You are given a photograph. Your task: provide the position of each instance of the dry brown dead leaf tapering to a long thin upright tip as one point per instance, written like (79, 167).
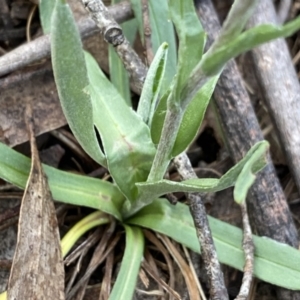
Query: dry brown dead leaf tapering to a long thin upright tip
(37, 270)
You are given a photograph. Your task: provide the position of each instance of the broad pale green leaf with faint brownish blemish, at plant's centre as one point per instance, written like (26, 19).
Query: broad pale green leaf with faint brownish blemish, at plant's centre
(126, 138)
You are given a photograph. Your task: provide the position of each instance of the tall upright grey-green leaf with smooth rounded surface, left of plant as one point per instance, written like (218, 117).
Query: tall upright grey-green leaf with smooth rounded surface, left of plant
(71, 79)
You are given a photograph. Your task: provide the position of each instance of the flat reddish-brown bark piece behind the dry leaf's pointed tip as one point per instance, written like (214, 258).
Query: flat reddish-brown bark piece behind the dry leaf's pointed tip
(36, 86)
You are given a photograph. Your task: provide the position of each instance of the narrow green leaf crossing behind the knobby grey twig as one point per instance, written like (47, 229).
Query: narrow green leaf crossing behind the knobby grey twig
(118, 74)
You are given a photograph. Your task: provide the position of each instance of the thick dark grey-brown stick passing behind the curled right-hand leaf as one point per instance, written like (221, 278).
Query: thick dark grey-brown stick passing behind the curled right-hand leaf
(268, 209)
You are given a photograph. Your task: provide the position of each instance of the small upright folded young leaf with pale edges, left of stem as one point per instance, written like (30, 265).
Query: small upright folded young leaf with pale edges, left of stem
(152, 85)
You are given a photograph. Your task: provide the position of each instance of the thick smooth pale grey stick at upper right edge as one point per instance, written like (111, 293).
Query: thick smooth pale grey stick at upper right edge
(277, 78)
